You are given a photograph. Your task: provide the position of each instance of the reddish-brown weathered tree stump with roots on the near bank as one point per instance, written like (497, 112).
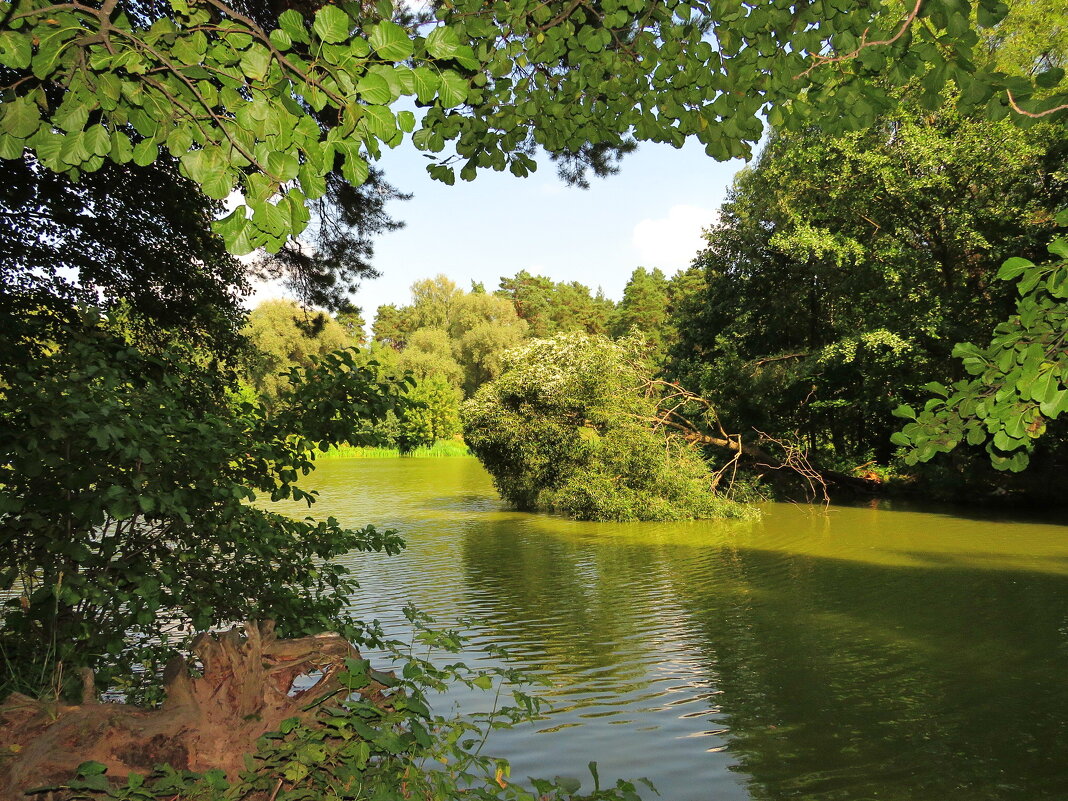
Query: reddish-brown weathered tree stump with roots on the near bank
(210, 721)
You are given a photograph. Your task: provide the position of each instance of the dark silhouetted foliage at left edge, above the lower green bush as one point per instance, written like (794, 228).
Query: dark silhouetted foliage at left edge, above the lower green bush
(134, 237)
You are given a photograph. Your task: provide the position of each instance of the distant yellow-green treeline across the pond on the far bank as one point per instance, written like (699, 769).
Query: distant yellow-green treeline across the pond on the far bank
(452, 341)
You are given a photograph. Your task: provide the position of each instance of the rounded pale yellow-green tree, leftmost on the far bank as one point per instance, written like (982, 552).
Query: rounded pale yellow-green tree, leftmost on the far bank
(285, 336)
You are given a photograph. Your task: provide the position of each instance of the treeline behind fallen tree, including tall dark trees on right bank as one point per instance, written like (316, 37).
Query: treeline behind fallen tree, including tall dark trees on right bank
(834, 288)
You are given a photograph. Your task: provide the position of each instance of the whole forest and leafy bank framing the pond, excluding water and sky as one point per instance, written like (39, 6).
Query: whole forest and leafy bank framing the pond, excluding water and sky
(878, 311)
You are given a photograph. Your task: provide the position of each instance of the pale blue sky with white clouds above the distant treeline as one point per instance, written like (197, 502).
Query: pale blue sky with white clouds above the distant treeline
(650, 215)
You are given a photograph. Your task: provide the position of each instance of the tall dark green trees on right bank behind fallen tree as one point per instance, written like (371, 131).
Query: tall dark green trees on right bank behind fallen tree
(843, 269)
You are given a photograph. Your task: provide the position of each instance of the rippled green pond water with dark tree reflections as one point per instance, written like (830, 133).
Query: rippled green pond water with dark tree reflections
(845, 654)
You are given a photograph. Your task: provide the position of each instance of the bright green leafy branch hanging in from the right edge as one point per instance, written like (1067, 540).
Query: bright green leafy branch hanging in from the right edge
(1018, 384)
